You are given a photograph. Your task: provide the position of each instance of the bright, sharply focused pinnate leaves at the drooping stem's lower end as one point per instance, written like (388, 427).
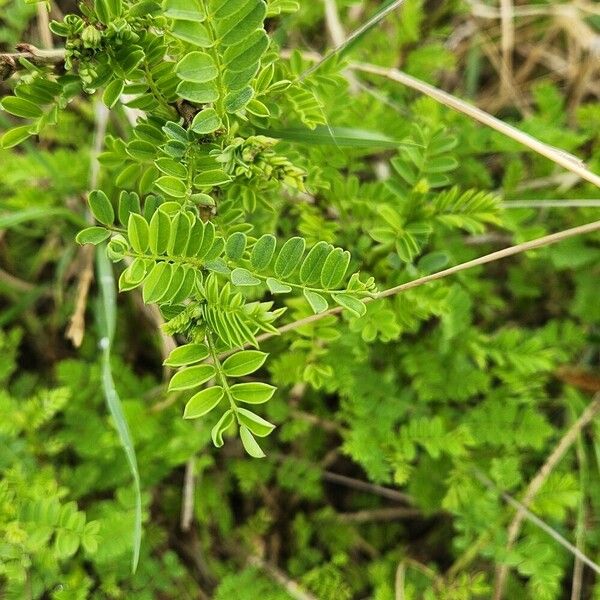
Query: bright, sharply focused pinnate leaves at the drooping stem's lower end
(199, 278)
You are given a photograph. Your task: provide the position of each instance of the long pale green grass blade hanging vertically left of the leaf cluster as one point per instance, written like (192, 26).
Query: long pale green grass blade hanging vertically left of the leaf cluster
(107, 318)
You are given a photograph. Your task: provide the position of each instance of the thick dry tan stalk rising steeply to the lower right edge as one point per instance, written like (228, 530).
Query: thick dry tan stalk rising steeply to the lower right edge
(536, 484)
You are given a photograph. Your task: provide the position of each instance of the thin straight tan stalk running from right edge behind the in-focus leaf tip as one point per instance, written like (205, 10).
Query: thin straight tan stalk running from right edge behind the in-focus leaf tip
(546, 240)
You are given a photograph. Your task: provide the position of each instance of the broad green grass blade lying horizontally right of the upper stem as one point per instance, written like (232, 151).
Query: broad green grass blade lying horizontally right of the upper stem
(335, 136)
